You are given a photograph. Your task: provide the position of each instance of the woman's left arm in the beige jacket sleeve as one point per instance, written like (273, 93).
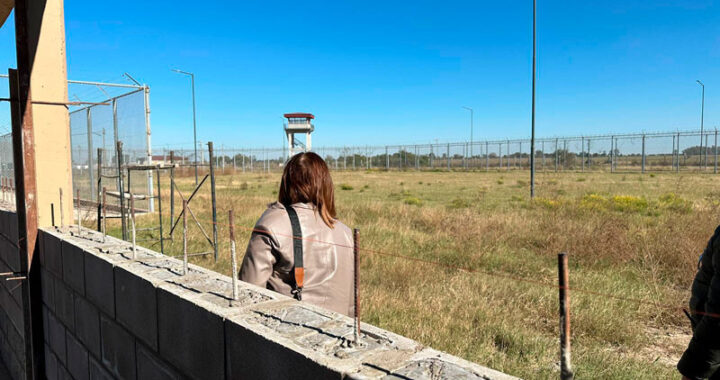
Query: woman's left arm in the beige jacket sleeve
(257, 266)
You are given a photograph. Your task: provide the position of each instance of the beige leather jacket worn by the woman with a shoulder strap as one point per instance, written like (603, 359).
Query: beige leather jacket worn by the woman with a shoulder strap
(329, 273)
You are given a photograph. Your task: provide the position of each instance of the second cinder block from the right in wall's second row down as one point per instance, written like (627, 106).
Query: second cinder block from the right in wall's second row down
(118, 349)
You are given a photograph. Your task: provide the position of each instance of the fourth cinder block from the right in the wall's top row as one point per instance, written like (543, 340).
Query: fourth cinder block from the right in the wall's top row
(100, 284)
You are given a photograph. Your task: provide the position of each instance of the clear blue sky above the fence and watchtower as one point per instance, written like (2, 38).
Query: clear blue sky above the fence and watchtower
(399, 72)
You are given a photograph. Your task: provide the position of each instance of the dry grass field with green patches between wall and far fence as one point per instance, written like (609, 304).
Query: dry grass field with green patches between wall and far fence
(631, 235)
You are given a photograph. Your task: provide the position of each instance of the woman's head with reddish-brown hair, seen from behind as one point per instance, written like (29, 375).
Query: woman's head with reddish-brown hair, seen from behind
(306, 179)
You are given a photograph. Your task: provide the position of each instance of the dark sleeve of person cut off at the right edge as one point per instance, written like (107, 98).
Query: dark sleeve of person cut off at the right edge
(702, 357)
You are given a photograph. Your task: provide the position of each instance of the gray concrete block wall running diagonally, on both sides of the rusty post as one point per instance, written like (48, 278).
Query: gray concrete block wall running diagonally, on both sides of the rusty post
(107, 316)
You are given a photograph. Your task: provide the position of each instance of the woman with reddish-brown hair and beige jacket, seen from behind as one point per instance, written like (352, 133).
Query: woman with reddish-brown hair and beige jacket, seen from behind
(298, 248)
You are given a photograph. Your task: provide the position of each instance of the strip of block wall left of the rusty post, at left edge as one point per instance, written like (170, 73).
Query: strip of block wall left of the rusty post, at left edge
(12, 327)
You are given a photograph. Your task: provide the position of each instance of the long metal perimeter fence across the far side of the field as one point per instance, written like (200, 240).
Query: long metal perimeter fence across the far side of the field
(641, 152)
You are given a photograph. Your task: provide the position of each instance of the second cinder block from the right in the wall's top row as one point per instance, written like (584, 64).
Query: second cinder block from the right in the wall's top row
(191, 337)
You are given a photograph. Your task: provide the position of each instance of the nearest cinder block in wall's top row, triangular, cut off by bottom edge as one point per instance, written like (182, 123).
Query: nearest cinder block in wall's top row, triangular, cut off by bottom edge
(250, 352)
